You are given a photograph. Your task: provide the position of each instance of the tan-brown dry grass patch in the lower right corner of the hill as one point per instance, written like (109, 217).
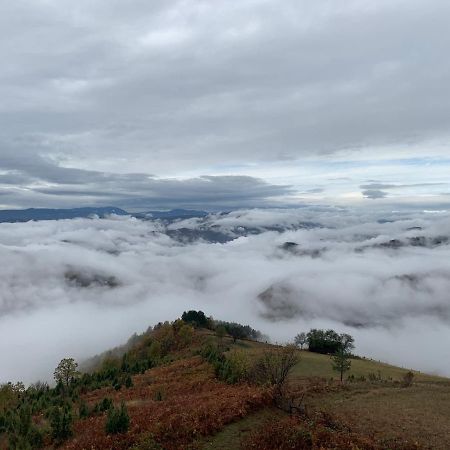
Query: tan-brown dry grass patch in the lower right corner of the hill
(420, 413)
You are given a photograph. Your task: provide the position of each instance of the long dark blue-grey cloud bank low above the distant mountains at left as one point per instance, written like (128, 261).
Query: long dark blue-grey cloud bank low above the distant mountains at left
(39, 182)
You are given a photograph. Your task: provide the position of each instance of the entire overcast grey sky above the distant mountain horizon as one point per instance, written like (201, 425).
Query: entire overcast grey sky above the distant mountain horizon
(221, 104)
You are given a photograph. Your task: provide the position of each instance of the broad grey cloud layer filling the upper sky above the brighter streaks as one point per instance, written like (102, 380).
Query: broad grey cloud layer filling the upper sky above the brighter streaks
(171, 86)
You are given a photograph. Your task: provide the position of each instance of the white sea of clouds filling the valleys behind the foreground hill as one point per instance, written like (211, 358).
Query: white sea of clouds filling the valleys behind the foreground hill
(77, 287)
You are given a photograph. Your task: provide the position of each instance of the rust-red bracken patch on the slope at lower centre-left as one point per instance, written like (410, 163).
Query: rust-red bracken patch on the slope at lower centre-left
(194, 404)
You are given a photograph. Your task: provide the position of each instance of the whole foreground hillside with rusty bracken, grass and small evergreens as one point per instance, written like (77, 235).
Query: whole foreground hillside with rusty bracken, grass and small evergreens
(201, 386)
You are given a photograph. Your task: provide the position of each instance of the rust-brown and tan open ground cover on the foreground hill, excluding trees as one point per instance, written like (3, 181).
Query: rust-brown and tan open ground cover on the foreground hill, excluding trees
(181, 405)
